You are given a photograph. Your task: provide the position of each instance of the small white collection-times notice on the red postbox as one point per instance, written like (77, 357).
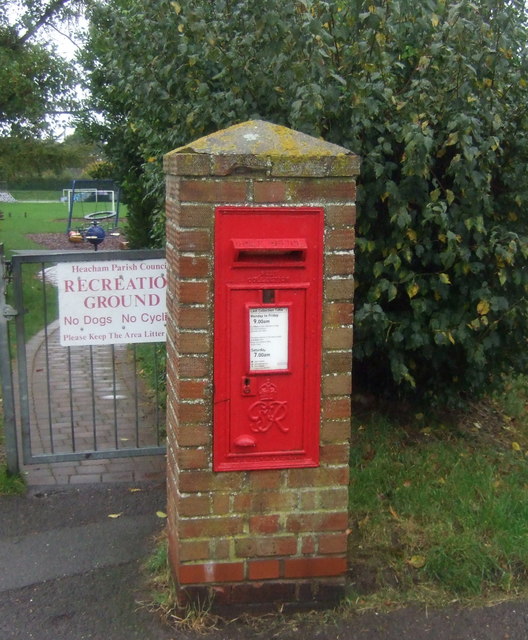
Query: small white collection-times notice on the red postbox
(268, 338)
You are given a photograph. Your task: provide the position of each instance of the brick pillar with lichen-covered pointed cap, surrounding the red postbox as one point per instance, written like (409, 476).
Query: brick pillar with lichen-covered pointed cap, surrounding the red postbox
(275, 537)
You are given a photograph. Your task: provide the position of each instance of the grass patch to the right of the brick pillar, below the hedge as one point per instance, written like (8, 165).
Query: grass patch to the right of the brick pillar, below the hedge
(439, 510)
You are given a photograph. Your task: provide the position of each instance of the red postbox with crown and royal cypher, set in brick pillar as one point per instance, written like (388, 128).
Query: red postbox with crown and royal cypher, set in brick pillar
(267, 337)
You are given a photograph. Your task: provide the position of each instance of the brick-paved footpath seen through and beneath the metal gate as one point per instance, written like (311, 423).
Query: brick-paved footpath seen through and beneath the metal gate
(83, 417)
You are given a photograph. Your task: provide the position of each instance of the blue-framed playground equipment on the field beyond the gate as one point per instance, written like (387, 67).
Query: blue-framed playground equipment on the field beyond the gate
(93, 210)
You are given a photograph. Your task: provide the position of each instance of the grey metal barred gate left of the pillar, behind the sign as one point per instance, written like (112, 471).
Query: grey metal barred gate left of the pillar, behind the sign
(71, 403)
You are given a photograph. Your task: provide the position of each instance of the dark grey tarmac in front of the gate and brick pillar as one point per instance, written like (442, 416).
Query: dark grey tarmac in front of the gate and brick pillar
(69, 572)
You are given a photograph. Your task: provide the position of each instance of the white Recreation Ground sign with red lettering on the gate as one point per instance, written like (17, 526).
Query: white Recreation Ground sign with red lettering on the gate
(112, 302)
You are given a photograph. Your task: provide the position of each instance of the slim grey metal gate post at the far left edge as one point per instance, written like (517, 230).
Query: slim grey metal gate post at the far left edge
(6, 374)
